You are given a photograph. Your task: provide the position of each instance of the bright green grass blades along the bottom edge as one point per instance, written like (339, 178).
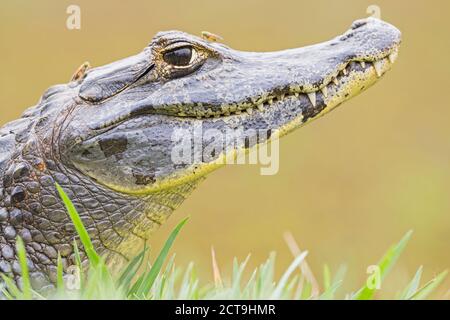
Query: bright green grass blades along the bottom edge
(143, 280)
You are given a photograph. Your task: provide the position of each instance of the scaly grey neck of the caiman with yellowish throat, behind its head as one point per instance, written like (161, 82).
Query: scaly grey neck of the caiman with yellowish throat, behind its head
(30, 208)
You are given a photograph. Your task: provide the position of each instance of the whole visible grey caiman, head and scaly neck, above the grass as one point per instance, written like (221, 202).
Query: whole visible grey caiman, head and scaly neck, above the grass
(106, 136)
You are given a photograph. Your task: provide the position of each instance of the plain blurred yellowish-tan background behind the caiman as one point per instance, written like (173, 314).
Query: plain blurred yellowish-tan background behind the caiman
(349, 185)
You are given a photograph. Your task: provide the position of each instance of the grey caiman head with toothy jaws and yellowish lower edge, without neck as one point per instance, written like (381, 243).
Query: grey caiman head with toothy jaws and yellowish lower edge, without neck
(123, 132)
